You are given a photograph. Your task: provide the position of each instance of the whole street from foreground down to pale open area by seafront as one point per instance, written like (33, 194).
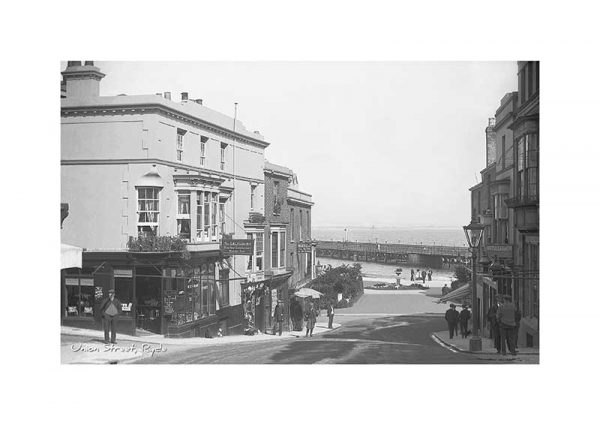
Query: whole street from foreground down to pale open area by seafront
(372, 331)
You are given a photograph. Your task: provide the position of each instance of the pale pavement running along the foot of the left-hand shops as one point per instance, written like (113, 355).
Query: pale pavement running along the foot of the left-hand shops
(86, 346)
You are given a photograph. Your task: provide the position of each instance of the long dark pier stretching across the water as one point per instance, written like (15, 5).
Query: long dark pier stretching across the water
(435, 256)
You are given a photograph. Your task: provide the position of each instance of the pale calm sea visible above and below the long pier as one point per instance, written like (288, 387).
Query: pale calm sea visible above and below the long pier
(386, 273)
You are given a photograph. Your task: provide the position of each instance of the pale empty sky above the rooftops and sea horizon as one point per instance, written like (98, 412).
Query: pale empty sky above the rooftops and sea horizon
(376, 143)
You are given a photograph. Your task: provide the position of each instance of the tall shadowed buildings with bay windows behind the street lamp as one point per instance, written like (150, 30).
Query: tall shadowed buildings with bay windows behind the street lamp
(506, 202)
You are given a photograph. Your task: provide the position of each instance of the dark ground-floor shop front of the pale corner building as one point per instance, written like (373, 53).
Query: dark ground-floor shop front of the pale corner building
(159, 293)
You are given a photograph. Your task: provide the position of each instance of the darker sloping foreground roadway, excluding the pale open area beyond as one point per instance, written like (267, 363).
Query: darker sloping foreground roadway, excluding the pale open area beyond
(365, 340)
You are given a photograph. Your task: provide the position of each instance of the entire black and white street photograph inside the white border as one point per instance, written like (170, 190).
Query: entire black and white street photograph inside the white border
(300, 212)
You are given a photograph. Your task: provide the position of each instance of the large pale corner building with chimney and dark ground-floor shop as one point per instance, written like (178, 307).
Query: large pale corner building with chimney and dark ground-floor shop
(135, 169)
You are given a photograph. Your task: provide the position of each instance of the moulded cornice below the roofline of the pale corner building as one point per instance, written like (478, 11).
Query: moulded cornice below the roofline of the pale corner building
(157, 108)
